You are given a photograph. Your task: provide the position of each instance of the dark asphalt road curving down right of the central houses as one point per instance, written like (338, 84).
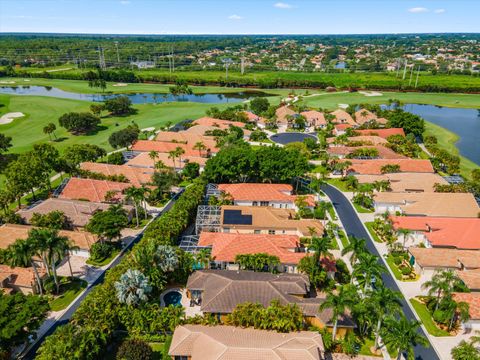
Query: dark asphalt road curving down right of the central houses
(354, 227)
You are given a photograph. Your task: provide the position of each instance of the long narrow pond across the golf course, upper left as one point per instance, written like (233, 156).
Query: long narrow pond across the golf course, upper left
(136, 98)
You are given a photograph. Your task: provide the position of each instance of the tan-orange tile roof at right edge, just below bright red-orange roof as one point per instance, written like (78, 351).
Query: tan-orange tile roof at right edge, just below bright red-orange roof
(445, 258)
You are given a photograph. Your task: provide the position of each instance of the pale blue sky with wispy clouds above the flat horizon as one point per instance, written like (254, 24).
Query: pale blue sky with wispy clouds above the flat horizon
(239, 16)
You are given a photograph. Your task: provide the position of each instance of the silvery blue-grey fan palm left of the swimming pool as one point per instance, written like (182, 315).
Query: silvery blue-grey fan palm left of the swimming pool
(132, 288)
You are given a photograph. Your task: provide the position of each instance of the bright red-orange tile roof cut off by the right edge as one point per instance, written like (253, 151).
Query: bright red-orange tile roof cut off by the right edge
(461, 233)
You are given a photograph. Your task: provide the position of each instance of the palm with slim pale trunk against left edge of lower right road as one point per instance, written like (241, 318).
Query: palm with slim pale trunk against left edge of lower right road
(386, 302)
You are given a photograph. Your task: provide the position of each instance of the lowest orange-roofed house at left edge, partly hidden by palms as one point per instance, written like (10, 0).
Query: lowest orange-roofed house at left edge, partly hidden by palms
(18, 279)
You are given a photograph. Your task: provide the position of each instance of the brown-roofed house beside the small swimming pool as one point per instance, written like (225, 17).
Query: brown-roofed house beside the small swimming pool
(218, 292)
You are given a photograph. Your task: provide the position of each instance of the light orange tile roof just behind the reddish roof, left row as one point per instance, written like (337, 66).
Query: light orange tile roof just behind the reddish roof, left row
(135, 175)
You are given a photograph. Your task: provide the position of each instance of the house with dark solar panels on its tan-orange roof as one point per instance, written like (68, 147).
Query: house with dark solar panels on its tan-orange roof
(266, 220)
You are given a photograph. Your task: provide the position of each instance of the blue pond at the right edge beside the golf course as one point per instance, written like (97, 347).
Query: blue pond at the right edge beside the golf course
(463, 122)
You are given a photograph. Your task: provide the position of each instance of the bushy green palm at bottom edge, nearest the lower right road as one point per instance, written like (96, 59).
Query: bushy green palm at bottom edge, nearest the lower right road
(402, 335)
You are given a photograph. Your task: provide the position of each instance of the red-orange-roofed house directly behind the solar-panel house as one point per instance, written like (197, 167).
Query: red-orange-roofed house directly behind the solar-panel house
(259, 194)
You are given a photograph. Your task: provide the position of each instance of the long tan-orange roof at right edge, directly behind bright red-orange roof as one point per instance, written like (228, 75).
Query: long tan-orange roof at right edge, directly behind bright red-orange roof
(432, 204)
